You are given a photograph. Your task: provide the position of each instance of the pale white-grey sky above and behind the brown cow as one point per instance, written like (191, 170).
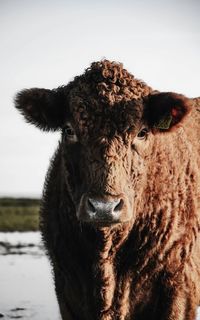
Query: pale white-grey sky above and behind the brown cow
(47, 43)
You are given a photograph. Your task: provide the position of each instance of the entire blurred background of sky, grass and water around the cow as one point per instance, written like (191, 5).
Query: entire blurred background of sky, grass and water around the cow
(45, 44)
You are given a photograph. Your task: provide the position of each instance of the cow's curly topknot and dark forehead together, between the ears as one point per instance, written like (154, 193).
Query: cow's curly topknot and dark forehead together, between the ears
(106, 98)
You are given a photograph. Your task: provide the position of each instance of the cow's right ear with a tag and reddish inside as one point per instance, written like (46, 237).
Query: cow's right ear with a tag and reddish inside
(166, 111)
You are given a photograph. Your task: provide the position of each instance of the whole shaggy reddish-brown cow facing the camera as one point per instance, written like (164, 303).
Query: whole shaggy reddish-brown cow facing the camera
(120, 212)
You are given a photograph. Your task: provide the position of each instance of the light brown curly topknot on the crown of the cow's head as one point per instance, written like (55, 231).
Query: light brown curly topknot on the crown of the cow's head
(110, 81)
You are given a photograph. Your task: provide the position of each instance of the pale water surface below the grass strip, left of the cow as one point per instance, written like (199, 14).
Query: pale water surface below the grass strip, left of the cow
(26, 290)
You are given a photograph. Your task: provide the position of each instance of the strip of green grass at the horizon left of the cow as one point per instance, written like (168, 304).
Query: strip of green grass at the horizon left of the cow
(20, 214)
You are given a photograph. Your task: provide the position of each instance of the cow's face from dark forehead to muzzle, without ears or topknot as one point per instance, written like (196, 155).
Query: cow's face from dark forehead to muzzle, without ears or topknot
(104, 150)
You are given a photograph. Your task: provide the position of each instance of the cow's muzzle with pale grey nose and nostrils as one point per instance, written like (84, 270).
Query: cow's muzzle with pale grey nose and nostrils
(104, 210)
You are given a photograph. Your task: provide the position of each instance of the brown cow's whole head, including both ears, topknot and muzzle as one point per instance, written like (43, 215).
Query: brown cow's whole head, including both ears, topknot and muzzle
(108, 120)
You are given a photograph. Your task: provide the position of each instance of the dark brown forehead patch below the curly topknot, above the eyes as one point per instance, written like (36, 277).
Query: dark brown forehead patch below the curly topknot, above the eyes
(99, 119)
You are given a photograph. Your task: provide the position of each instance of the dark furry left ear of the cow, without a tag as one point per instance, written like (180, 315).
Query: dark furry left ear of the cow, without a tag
(46, 109)
